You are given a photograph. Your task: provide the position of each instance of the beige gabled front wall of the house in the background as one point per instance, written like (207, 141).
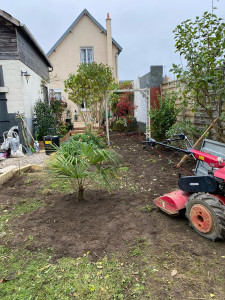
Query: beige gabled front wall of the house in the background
(66, 57)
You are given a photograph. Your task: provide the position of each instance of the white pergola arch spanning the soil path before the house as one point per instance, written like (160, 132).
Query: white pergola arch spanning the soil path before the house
(146, 94)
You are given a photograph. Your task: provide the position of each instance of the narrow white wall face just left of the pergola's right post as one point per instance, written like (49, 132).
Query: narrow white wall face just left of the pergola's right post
(140, 101)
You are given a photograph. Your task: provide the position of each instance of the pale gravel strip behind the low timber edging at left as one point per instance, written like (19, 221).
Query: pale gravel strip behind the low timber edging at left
(35, 159)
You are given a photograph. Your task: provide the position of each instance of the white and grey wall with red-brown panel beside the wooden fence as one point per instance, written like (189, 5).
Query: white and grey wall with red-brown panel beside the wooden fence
(152, 80)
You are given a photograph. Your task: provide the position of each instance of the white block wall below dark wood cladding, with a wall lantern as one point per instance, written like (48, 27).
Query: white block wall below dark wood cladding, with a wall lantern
(21, 96)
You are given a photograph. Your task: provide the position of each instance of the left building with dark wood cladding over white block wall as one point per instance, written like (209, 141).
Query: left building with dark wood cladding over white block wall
(24, 72)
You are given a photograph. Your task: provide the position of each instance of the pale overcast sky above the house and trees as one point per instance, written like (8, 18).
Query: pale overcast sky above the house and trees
(143, 27)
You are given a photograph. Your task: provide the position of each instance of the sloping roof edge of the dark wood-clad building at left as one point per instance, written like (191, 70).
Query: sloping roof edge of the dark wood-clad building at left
(26, 31)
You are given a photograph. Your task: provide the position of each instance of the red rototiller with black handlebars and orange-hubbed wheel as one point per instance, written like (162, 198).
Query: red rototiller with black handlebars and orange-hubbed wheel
(203, 197)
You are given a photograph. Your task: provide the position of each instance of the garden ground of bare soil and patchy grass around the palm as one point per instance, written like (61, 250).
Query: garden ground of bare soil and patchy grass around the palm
(107, 246)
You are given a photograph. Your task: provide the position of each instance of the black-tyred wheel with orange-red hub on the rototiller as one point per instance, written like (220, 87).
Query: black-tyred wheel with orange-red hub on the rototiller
(206, 215)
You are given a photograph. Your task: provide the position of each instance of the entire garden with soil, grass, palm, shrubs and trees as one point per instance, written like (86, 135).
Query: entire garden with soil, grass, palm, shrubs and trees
(87, 227)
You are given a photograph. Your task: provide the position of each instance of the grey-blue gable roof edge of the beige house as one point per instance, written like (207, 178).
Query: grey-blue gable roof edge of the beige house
(85, 12)
